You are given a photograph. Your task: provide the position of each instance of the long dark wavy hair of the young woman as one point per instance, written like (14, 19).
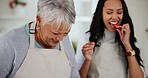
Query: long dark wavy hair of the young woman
(97, 28)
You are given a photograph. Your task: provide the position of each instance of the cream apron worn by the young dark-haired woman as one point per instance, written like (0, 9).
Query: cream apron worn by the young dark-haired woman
(108, 62)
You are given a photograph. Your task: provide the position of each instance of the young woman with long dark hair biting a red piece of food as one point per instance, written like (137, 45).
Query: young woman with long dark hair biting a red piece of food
(108, 49)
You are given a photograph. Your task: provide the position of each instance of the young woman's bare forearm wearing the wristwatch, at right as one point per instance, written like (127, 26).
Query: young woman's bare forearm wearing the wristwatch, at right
(134, 68)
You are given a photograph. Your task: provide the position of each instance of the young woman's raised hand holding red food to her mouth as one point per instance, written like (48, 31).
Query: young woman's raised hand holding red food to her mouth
(124, 33)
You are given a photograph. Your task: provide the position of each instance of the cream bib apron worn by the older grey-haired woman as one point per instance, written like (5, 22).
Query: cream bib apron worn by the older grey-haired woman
(44, 63)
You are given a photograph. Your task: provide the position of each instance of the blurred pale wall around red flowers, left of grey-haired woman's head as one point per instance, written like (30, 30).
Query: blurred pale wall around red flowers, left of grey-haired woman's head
(10, 20)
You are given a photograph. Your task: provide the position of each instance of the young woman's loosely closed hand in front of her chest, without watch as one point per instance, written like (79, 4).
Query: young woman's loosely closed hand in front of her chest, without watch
(88, 50)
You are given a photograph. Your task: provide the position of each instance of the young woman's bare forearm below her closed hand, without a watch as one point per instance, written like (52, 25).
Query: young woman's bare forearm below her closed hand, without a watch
(84, 69)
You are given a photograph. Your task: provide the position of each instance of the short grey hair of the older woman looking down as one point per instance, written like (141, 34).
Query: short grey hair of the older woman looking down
(57, 12)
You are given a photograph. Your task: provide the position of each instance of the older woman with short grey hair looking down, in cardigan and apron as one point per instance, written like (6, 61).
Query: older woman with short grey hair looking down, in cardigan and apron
(41, 49)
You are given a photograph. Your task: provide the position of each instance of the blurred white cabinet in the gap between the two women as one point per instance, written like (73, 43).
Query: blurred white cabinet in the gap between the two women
(84, 10)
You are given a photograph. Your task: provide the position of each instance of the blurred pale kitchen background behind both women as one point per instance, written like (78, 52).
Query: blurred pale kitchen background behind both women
(14, 16)
